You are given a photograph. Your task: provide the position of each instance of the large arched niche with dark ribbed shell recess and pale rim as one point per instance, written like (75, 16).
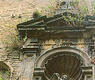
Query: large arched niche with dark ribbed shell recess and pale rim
(63, 61)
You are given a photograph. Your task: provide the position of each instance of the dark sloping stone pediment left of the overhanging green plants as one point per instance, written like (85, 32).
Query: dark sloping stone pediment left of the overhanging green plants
(43, 21)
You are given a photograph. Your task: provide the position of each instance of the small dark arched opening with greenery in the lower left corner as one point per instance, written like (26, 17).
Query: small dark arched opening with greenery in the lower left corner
(4, 71)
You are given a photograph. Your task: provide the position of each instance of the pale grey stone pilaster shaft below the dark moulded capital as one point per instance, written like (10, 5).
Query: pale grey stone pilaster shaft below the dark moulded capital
(26, 68)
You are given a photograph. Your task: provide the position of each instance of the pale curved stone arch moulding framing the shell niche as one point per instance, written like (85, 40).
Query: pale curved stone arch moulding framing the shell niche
(42, 58)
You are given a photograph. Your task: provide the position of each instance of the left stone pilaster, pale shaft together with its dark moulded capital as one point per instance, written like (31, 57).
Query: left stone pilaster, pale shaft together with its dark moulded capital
(30, 52)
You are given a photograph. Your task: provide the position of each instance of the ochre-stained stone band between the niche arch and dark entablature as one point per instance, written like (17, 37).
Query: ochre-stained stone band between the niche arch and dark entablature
(80, 44)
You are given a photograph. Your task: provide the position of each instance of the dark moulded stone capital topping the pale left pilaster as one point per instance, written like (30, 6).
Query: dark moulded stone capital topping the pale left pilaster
(31, 47)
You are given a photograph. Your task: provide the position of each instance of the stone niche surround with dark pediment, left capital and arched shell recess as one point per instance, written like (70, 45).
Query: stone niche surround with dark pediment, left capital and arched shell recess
(59, 48)
